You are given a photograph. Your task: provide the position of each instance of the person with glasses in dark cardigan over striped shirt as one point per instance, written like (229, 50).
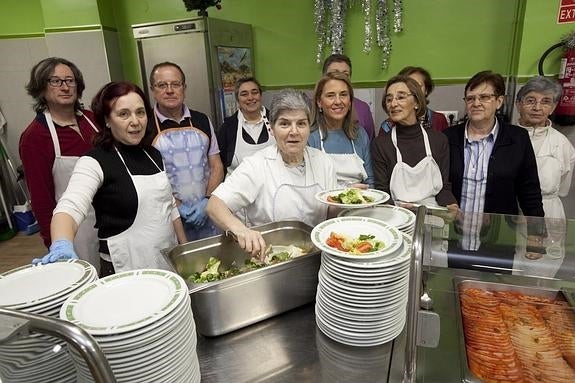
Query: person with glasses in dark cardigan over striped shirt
(492, 164)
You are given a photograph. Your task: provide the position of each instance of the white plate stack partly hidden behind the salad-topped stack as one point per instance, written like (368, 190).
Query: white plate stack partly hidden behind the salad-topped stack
(396, 216)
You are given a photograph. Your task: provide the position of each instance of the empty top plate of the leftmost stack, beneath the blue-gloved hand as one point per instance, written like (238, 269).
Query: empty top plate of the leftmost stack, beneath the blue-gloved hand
(31, 285)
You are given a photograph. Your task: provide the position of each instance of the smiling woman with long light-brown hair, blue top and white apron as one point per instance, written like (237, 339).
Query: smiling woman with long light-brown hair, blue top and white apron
(335, 131)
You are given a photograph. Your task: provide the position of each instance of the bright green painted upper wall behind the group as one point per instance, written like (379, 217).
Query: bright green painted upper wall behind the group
(452, 38)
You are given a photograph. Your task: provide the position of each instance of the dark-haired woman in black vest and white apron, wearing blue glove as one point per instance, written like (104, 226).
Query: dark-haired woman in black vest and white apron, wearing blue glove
(123, 177)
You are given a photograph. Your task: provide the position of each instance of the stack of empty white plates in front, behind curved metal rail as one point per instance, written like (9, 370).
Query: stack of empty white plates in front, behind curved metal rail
(143, 322)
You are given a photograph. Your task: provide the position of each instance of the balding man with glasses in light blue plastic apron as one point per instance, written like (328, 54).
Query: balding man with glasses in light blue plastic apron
(189, 147)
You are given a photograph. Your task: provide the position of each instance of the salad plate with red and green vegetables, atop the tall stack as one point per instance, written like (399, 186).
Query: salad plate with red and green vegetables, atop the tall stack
(356, 238)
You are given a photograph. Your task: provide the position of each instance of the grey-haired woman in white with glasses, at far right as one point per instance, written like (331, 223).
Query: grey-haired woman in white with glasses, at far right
(555, 155)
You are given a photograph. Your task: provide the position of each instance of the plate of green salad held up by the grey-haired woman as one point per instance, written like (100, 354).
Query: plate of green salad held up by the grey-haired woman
(352, 198)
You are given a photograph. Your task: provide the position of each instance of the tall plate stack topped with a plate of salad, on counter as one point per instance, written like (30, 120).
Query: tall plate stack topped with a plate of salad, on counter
(361, 298)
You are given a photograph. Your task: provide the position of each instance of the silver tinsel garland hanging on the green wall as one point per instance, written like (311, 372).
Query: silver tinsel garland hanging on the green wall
(329, 20)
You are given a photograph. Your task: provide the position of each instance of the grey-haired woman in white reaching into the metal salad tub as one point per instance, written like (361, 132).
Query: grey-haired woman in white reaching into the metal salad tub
(279, 182)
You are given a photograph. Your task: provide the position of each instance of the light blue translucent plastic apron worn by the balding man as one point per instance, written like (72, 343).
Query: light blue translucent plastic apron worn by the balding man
(183, 150)
